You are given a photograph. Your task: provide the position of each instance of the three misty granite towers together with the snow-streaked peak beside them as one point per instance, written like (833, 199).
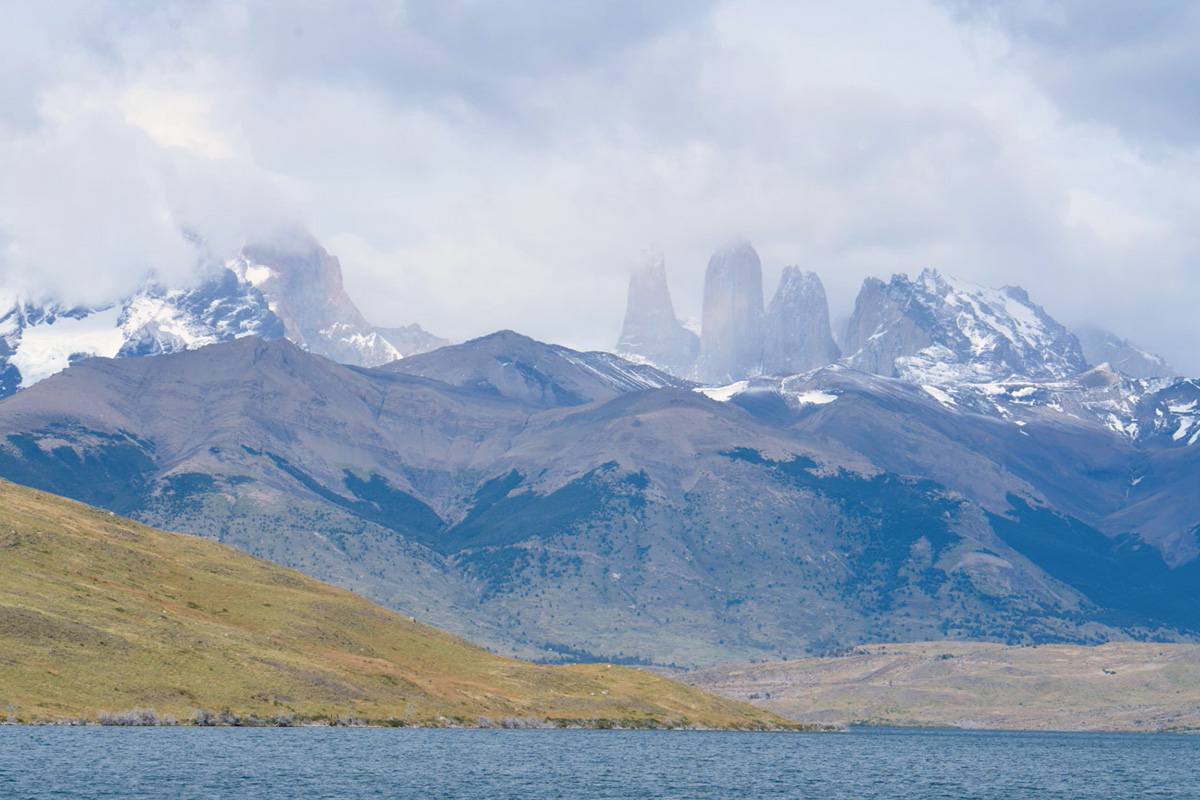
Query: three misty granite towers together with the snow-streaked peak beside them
(934, 330)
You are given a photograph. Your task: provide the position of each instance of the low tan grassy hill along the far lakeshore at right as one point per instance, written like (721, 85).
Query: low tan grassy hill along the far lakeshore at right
(1120, 687)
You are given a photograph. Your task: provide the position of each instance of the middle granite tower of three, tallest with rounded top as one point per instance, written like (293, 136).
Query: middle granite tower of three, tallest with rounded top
(731, 323)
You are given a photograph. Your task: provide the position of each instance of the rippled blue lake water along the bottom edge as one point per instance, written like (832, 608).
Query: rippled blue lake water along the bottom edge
(293, 763)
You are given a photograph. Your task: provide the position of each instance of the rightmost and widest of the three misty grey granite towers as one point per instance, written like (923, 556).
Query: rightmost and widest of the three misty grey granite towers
(797, 336)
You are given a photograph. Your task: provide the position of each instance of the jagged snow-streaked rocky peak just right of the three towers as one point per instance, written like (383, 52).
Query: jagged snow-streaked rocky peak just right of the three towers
(939, 330)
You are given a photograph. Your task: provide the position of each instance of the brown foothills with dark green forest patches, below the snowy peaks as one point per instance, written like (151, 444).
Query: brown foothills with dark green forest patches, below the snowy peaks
(560, 506)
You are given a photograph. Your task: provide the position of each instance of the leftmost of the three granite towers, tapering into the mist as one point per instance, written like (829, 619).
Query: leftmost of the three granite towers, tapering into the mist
(652, 332)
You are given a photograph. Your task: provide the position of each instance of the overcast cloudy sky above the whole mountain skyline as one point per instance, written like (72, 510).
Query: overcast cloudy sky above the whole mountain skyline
(481, 165)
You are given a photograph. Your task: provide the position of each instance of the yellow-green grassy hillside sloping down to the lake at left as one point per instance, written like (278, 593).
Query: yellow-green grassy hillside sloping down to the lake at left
(101, 613)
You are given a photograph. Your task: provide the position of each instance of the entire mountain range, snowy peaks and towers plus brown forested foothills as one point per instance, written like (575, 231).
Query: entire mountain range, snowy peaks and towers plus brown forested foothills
(956, 468)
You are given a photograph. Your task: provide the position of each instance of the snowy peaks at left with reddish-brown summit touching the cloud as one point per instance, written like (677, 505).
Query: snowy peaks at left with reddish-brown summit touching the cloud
(291, 288)
